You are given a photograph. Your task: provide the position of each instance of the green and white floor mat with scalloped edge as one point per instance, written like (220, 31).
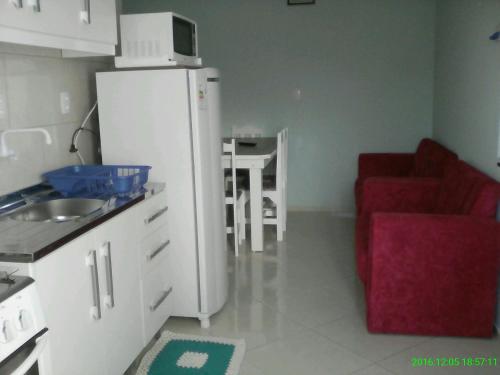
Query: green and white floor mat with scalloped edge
(177, 354)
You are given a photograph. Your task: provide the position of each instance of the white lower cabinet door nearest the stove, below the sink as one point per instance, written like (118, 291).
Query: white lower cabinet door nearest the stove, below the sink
(65, 283)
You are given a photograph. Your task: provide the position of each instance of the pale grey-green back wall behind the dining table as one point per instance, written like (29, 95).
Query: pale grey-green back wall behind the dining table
(364, 69)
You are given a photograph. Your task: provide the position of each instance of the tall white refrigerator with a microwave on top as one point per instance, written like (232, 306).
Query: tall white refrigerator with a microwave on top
(170, 119)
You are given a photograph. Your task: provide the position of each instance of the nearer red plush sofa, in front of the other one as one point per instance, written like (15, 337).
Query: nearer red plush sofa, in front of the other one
(427, 251)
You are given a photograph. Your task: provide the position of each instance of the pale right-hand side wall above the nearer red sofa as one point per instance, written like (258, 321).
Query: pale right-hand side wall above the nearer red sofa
(467, 96)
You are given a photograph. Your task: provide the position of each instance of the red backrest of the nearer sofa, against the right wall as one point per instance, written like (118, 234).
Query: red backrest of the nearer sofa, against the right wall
(467, 191)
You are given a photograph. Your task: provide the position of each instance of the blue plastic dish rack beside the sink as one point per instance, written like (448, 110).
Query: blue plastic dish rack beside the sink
(121, 180)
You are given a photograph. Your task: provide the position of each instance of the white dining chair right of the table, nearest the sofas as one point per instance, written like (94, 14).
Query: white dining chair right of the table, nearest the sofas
(275, 188)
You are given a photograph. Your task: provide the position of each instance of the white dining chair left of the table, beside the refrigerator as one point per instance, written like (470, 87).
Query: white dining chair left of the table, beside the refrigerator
(237, 198)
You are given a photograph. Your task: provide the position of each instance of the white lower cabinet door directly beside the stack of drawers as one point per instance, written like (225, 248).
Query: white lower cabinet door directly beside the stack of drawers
(118, 244)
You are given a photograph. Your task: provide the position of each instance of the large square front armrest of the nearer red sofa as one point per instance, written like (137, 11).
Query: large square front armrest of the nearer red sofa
(432, 274)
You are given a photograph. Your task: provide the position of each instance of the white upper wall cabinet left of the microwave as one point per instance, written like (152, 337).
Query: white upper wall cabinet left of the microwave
(78, 27)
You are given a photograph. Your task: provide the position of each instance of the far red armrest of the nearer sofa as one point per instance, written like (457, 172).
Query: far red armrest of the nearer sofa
(398, 195)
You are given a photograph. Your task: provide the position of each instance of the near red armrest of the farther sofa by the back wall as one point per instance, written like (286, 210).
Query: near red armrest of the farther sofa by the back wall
(385, 165)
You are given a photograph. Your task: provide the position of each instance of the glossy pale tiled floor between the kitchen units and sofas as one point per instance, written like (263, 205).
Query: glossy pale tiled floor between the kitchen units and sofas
(300, 308)
